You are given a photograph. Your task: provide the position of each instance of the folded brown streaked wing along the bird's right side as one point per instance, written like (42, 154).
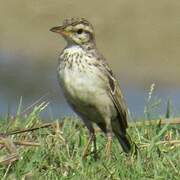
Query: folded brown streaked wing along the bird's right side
(115, 94)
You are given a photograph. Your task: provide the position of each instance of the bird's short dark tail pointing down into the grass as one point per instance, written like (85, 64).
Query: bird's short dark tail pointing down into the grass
(127, 144)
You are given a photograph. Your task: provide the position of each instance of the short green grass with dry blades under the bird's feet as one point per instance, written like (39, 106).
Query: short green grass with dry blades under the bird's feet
(58, 155)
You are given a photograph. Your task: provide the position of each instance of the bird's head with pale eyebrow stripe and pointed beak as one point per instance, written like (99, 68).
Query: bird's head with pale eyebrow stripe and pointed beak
(76, 31)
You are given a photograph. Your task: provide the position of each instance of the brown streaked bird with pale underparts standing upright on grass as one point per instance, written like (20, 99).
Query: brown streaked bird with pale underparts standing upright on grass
(89, 85)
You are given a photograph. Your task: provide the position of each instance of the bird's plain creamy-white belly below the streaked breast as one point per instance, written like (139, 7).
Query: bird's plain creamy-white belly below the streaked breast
(87, 93)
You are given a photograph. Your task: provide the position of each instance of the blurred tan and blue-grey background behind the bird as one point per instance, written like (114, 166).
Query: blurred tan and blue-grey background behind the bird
(140, 39)
